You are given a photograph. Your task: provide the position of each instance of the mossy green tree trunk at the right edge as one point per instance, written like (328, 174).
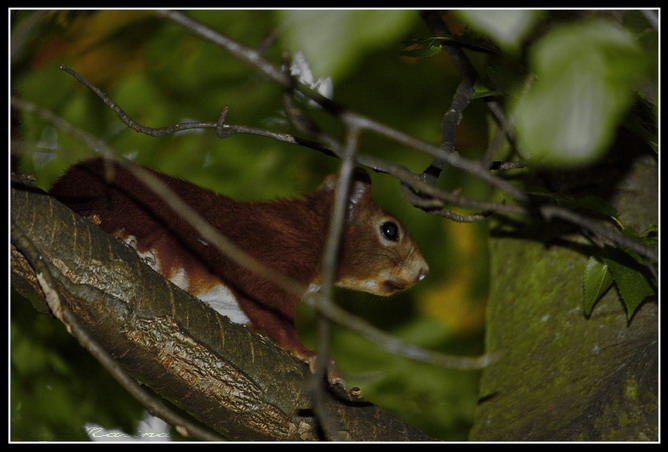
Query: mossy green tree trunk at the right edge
(563, 376)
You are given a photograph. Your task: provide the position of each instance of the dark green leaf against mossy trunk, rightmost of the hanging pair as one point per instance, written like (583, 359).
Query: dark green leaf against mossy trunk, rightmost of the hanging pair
(628, 272)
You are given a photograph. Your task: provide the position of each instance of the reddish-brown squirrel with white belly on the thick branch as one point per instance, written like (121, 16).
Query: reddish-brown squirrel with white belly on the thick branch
(377, 254)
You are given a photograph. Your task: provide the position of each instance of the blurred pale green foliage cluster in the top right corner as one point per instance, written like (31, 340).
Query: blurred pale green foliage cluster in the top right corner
(582, 76)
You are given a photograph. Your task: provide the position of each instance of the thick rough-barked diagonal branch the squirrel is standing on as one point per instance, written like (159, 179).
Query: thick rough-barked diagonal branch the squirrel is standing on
(235, 381)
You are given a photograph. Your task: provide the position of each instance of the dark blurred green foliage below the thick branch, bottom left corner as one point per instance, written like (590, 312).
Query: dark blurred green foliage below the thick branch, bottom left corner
(56, 386)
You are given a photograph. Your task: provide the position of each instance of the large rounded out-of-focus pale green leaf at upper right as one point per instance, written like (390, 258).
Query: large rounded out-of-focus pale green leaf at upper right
(585, 76)
